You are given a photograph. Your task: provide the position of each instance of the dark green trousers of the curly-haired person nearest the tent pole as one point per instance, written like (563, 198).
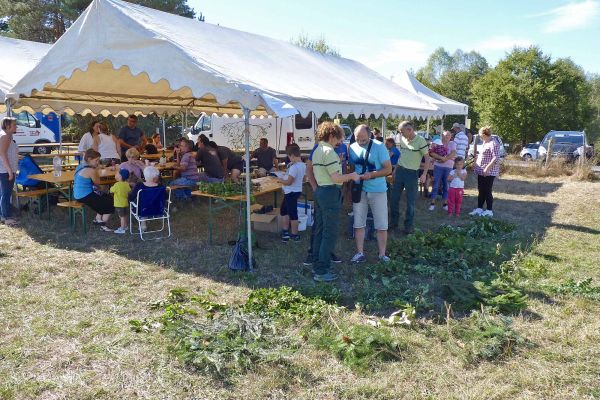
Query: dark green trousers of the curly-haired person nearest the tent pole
(326, 227)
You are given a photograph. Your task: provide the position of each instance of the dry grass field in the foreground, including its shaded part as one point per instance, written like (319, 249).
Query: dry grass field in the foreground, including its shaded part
(67, 301)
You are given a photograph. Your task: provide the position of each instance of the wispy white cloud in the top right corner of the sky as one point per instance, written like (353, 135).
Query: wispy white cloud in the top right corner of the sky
(572, 16)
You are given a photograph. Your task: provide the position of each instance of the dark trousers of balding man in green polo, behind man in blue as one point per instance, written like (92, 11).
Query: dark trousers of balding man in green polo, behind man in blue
(404, 179)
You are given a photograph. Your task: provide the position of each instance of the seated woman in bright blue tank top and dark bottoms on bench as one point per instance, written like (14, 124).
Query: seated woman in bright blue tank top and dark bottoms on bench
(84, 190)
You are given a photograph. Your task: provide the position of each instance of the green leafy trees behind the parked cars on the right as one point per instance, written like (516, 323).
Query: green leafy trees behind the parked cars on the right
(523, 97)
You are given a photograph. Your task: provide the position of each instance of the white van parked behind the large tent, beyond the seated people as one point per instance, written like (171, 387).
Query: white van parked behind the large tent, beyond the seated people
(229, 131)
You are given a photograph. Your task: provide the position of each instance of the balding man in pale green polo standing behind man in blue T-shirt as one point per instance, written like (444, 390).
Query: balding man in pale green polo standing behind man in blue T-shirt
(412, 149)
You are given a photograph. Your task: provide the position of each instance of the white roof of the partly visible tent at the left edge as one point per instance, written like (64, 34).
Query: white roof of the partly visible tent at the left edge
(21, 57)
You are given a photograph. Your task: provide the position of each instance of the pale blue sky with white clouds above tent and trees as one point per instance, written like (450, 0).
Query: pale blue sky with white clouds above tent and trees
(390, 36)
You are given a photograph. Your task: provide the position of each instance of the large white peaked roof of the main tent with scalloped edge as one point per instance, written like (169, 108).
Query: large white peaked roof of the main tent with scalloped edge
(120, 57)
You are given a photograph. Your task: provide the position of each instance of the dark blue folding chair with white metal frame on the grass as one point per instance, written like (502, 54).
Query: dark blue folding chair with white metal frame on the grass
(151, 204)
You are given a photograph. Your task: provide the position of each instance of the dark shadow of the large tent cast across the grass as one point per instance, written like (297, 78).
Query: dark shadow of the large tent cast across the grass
(280, 263)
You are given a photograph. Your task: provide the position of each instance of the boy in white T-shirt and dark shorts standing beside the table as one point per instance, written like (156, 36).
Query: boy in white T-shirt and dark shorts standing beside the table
(292, 189)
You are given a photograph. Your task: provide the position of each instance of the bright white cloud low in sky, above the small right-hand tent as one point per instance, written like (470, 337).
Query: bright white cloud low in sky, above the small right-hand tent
(398, 55)
